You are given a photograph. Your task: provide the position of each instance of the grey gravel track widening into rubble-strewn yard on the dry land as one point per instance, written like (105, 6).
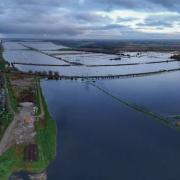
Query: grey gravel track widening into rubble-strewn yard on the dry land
(19, 131)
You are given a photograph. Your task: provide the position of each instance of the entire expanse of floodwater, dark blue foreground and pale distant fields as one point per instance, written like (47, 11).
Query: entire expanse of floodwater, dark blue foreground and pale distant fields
(99, 138)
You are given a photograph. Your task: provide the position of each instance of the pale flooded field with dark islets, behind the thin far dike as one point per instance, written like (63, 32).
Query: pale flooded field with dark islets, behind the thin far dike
(105, 59)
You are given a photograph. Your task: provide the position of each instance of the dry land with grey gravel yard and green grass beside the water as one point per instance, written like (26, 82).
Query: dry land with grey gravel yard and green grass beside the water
(24, 147)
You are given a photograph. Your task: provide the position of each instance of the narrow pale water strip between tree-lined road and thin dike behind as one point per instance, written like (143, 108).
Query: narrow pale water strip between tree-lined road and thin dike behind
(102, 71)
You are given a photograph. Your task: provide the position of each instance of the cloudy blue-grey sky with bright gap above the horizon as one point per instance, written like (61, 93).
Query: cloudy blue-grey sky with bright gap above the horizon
(102, 19)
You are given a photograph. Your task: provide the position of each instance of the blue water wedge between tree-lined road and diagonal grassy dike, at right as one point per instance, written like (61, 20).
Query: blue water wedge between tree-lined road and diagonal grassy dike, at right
(159, 93)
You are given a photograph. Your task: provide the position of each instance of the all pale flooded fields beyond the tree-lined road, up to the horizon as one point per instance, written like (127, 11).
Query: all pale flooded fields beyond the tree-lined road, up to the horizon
(80, 63)
